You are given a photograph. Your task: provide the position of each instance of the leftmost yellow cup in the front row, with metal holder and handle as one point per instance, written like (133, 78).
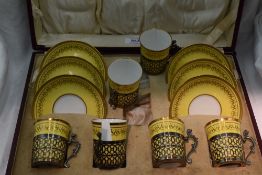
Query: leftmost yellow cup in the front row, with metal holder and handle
(51, 140)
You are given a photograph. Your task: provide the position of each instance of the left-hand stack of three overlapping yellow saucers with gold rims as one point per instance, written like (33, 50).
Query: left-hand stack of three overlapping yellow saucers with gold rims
(71, 68)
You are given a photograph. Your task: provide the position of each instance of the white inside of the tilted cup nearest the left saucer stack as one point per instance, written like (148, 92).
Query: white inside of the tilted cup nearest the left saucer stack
(125, 71)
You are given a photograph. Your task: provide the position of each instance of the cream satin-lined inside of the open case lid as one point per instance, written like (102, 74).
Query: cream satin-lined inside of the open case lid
(109, 24)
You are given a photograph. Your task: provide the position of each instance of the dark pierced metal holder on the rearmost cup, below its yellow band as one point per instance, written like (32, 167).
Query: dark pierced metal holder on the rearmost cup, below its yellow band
(153, 67)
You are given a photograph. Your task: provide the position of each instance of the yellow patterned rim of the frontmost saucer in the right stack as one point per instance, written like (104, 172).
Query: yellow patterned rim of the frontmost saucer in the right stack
(222, 91)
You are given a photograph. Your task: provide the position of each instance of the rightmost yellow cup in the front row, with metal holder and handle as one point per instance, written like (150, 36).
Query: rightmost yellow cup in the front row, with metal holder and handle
(226, 145)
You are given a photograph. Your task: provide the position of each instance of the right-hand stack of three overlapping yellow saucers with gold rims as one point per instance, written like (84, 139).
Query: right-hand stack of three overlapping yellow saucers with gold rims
(202, 70)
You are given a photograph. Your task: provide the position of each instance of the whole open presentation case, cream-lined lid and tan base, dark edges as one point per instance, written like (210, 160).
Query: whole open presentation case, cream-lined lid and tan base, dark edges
(116, 43)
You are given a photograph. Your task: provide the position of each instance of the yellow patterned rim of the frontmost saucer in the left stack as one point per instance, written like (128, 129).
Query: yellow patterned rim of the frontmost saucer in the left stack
(46, 97)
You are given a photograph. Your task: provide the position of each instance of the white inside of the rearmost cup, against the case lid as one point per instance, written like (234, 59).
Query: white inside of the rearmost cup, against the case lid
(155, 39)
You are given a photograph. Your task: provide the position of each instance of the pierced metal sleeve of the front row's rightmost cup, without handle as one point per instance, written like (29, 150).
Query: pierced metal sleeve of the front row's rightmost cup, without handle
(226, 148)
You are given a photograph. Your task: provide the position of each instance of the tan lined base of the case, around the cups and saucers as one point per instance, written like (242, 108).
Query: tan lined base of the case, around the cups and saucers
(139, 159)
